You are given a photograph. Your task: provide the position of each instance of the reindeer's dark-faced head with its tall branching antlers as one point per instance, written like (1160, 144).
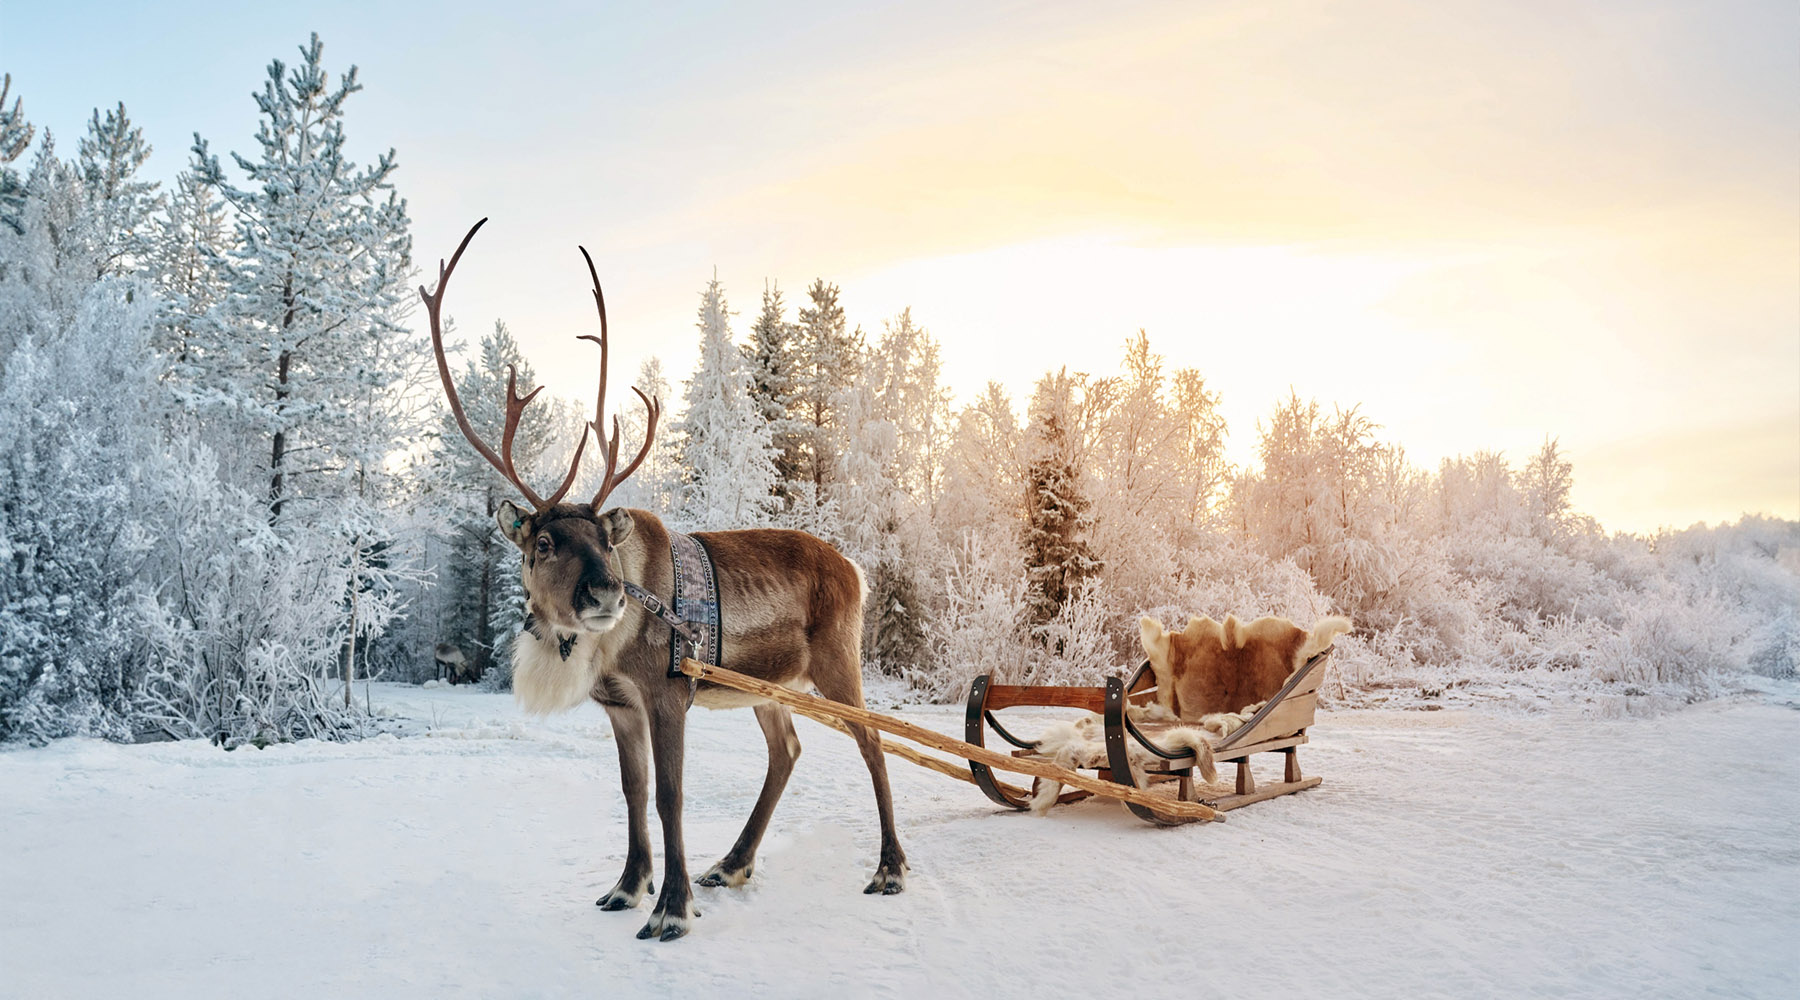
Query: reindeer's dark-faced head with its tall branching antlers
(571, 566)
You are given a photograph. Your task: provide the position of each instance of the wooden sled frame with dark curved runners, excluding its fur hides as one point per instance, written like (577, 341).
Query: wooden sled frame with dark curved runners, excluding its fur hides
(1279, 728)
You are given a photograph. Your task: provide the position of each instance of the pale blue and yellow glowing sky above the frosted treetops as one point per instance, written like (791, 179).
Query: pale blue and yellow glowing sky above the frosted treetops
(1486, 224)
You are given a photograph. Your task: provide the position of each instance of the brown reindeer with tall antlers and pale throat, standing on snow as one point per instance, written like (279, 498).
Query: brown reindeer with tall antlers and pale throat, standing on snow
(793, 616)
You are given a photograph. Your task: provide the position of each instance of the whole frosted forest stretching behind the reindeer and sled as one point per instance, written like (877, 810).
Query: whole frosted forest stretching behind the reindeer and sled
(231, 490)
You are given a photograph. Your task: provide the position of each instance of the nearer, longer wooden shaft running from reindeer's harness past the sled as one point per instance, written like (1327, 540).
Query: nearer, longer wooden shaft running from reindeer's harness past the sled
(814, 708)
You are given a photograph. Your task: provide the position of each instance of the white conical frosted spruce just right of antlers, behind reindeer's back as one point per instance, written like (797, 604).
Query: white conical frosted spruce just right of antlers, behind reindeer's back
(724, 440)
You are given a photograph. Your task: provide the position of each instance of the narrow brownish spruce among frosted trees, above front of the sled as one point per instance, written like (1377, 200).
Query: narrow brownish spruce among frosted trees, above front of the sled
(1059, 562)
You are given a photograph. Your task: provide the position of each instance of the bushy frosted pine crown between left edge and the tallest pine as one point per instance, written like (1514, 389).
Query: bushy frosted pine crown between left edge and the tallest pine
(111, 156)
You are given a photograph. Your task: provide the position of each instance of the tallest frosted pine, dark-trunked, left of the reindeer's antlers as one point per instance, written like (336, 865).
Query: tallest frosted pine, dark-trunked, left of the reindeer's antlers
(319, 269)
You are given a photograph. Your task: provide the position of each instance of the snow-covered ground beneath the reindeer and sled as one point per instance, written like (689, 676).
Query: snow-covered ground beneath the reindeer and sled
(1446, 855)
